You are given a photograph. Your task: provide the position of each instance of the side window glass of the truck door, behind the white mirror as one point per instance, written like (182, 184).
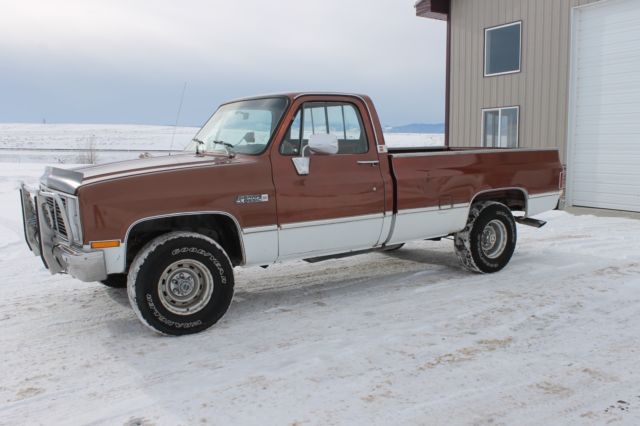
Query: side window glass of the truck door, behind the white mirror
(337, 118)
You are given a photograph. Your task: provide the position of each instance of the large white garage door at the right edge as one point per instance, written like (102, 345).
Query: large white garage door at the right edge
(604, 158)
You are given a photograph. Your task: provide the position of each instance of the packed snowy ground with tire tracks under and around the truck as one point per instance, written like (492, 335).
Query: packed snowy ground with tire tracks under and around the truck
(402, 338)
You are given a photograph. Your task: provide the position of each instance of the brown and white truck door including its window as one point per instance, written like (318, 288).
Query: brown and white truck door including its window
(338, 205)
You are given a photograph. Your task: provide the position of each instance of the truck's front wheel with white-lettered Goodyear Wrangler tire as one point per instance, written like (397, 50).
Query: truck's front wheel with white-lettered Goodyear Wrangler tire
(153, 299)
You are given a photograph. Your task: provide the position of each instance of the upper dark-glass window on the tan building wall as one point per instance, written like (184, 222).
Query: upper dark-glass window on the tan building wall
(502, 49)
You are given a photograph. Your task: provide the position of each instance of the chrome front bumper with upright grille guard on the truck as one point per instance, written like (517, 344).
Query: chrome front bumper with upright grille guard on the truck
(57, 254)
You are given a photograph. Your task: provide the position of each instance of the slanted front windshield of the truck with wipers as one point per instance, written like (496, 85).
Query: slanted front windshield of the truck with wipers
(243, 127)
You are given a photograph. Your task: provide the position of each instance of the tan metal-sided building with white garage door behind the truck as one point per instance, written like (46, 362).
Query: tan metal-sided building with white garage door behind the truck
(549, 73)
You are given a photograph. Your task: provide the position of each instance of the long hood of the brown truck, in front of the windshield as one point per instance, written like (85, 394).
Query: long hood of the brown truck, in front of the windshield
(69, 180)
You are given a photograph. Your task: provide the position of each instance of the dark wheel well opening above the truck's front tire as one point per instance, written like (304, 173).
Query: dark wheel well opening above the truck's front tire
(220, 228)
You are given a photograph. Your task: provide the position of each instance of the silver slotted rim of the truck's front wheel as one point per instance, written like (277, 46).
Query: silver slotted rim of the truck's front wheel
(186, 286)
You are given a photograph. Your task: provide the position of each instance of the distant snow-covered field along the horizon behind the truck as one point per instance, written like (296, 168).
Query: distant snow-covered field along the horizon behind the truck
(69, 143)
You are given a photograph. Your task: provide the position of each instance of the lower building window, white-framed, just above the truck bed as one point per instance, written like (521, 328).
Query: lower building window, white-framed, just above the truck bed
(500, 127)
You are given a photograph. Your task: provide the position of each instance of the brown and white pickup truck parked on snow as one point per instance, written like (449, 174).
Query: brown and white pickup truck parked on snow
(270, 179)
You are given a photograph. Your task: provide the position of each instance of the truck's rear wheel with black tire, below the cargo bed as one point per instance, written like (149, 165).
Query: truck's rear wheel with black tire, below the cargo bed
(468, 242)
